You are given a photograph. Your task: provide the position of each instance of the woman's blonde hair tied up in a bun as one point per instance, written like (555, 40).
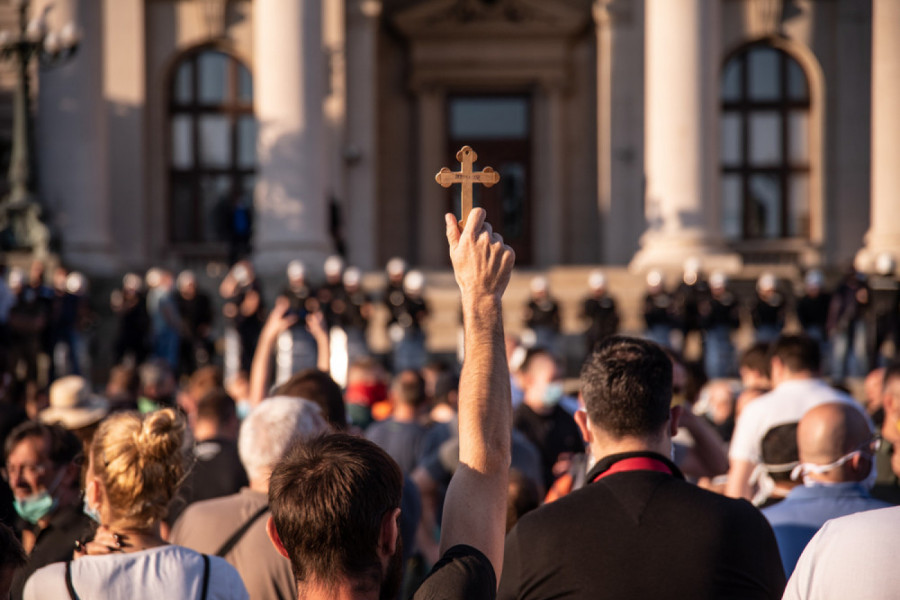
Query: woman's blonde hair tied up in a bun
(140, 461)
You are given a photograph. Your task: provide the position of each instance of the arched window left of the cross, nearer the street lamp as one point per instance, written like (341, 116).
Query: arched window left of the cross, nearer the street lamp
(212, 158)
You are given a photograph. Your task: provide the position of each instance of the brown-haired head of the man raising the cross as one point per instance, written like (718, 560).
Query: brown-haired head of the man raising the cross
(335, 501)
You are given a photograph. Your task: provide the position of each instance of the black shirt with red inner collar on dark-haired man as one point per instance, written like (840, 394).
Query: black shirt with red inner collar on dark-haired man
(642, 534)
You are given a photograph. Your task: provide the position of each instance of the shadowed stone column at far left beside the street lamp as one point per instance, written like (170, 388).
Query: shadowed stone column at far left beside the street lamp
(71, 143)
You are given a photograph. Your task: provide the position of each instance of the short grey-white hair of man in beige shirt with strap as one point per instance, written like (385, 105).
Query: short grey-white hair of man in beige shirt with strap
(271, 429)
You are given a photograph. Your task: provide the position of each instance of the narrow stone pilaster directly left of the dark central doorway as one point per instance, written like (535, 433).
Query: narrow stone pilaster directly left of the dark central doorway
(432, 200)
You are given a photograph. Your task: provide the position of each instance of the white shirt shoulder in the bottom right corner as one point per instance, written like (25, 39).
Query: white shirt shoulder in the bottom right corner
(851, 557)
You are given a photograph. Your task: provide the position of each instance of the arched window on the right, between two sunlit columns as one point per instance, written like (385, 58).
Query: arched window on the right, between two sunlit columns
(765, 146)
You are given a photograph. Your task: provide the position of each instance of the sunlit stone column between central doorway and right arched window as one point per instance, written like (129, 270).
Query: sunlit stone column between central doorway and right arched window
(681, 136)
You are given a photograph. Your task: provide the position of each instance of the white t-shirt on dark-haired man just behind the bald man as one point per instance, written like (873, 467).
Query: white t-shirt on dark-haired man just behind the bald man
(785, 404)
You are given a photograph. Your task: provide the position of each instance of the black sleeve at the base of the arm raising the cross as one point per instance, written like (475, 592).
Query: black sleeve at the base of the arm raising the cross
(463, 573)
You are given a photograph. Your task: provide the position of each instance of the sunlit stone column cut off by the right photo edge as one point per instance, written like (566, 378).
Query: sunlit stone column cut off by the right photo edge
(884, 231)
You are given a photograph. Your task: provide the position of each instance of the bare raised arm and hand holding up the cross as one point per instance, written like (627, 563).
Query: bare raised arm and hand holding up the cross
(475, 505)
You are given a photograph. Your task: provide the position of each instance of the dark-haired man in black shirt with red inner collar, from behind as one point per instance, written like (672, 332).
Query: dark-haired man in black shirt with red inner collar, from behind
(638, 530)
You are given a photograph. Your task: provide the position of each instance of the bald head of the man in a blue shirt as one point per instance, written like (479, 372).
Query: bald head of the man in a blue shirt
(829, 431)
